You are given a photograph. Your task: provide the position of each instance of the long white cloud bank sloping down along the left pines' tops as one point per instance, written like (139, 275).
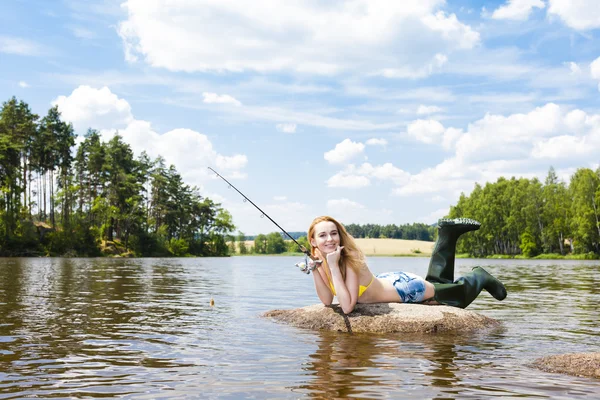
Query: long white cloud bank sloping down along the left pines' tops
(190, 151)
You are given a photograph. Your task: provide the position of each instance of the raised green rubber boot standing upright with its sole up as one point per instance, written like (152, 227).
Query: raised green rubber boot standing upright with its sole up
(441, 264)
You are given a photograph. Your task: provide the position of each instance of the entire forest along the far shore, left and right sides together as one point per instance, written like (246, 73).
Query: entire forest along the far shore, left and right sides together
(96, 198)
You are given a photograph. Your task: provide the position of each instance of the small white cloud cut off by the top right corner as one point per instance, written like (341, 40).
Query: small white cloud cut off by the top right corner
(577, 14)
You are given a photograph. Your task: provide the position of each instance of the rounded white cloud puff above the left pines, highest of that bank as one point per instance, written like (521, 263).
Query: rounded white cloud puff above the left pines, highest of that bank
(88, 107)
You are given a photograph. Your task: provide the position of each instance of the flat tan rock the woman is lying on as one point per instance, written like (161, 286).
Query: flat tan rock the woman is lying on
(384, 318)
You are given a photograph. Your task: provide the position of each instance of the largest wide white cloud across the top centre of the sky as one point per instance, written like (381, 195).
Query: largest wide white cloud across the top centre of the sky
(294, 35)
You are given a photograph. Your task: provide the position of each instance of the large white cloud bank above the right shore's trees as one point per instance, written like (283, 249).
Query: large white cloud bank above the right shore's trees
(499, 145)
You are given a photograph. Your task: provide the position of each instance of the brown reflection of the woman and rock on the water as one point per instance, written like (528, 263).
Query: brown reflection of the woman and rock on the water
(366, 365)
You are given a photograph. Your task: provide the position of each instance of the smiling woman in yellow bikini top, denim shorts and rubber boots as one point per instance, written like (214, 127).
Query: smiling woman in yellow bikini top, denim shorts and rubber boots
(344, 272)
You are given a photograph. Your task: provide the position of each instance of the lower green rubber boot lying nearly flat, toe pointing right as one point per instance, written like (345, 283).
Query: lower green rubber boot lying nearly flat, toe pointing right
(466, 288)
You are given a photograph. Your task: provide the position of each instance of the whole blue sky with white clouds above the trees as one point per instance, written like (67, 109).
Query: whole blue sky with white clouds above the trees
(371, 111)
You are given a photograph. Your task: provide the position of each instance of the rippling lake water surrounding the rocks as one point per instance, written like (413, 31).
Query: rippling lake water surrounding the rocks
(144, 329)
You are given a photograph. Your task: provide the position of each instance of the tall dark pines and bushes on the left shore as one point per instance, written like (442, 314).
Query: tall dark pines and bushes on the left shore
(60, 199)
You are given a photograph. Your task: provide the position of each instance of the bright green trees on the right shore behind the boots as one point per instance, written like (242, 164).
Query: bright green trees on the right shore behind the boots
(528, 217)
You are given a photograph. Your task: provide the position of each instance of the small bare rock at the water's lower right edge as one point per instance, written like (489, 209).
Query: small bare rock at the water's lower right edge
(577, 364)
